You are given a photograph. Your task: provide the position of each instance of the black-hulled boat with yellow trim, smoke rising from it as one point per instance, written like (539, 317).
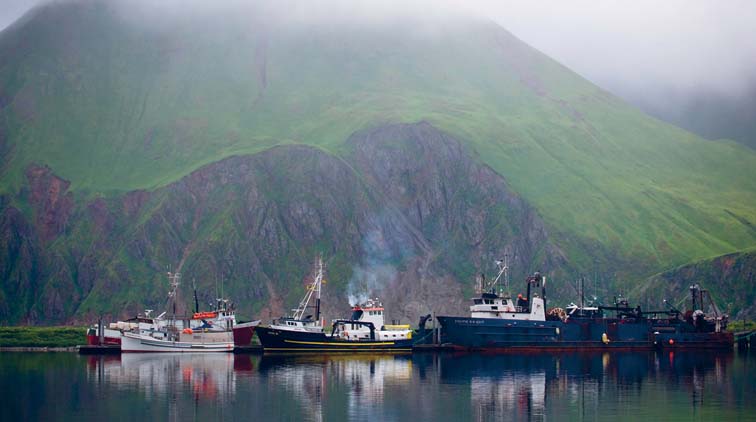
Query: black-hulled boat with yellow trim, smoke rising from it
(364, 331)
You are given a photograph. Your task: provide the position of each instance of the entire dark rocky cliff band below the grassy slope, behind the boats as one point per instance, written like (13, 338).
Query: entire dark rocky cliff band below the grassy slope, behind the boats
(406, 214)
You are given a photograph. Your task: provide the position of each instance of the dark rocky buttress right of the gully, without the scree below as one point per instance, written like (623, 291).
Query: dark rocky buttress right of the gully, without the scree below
(451, 198)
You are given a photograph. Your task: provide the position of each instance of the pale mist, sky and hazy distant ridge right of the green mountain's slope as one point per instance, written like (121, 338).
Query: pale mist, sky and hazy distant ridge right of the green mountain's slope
(690, 63)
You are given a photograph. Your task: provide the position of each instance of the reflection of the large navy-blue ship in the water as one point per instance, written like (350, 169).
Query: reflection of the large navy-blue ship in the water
(531, 386)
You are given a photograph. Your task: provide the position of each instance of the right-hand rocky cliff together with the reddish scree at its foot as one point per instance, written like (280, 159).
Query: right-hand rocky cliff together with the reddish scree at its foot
(463, 213)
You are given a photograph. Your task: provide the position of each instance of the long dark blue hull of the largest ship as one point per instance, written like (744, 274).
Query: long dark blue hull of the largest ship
(498, 335)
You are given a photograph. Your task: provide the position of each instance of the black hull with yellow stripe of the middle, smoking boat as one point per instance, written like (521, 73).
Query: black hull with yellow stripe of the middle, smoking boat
(275, 340)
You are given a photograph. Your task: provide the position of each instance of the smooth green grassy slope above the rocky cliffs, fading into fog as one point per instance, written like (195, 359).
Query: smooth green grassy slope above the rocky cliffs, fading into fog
(116, 101)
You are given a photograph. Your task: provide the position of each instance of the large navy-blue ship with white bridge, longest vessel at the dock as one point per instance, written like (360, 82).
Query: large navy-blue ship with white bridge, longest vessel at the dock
(498, 323)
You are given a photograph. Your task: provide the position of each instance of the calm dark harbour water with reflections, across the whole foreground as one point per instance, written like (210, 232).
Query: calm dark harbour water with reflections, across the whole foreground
(426, 387)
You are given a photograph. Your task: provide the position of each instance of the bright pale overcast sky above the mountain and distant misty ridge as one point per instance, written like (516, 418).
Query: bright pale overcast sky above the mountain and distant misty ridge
(629, 47)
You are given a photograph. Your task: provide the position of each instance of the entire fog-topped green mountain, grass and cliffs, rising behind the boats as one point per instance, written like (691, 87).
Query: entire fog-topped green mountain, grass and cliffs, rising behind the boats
(104, 102)
